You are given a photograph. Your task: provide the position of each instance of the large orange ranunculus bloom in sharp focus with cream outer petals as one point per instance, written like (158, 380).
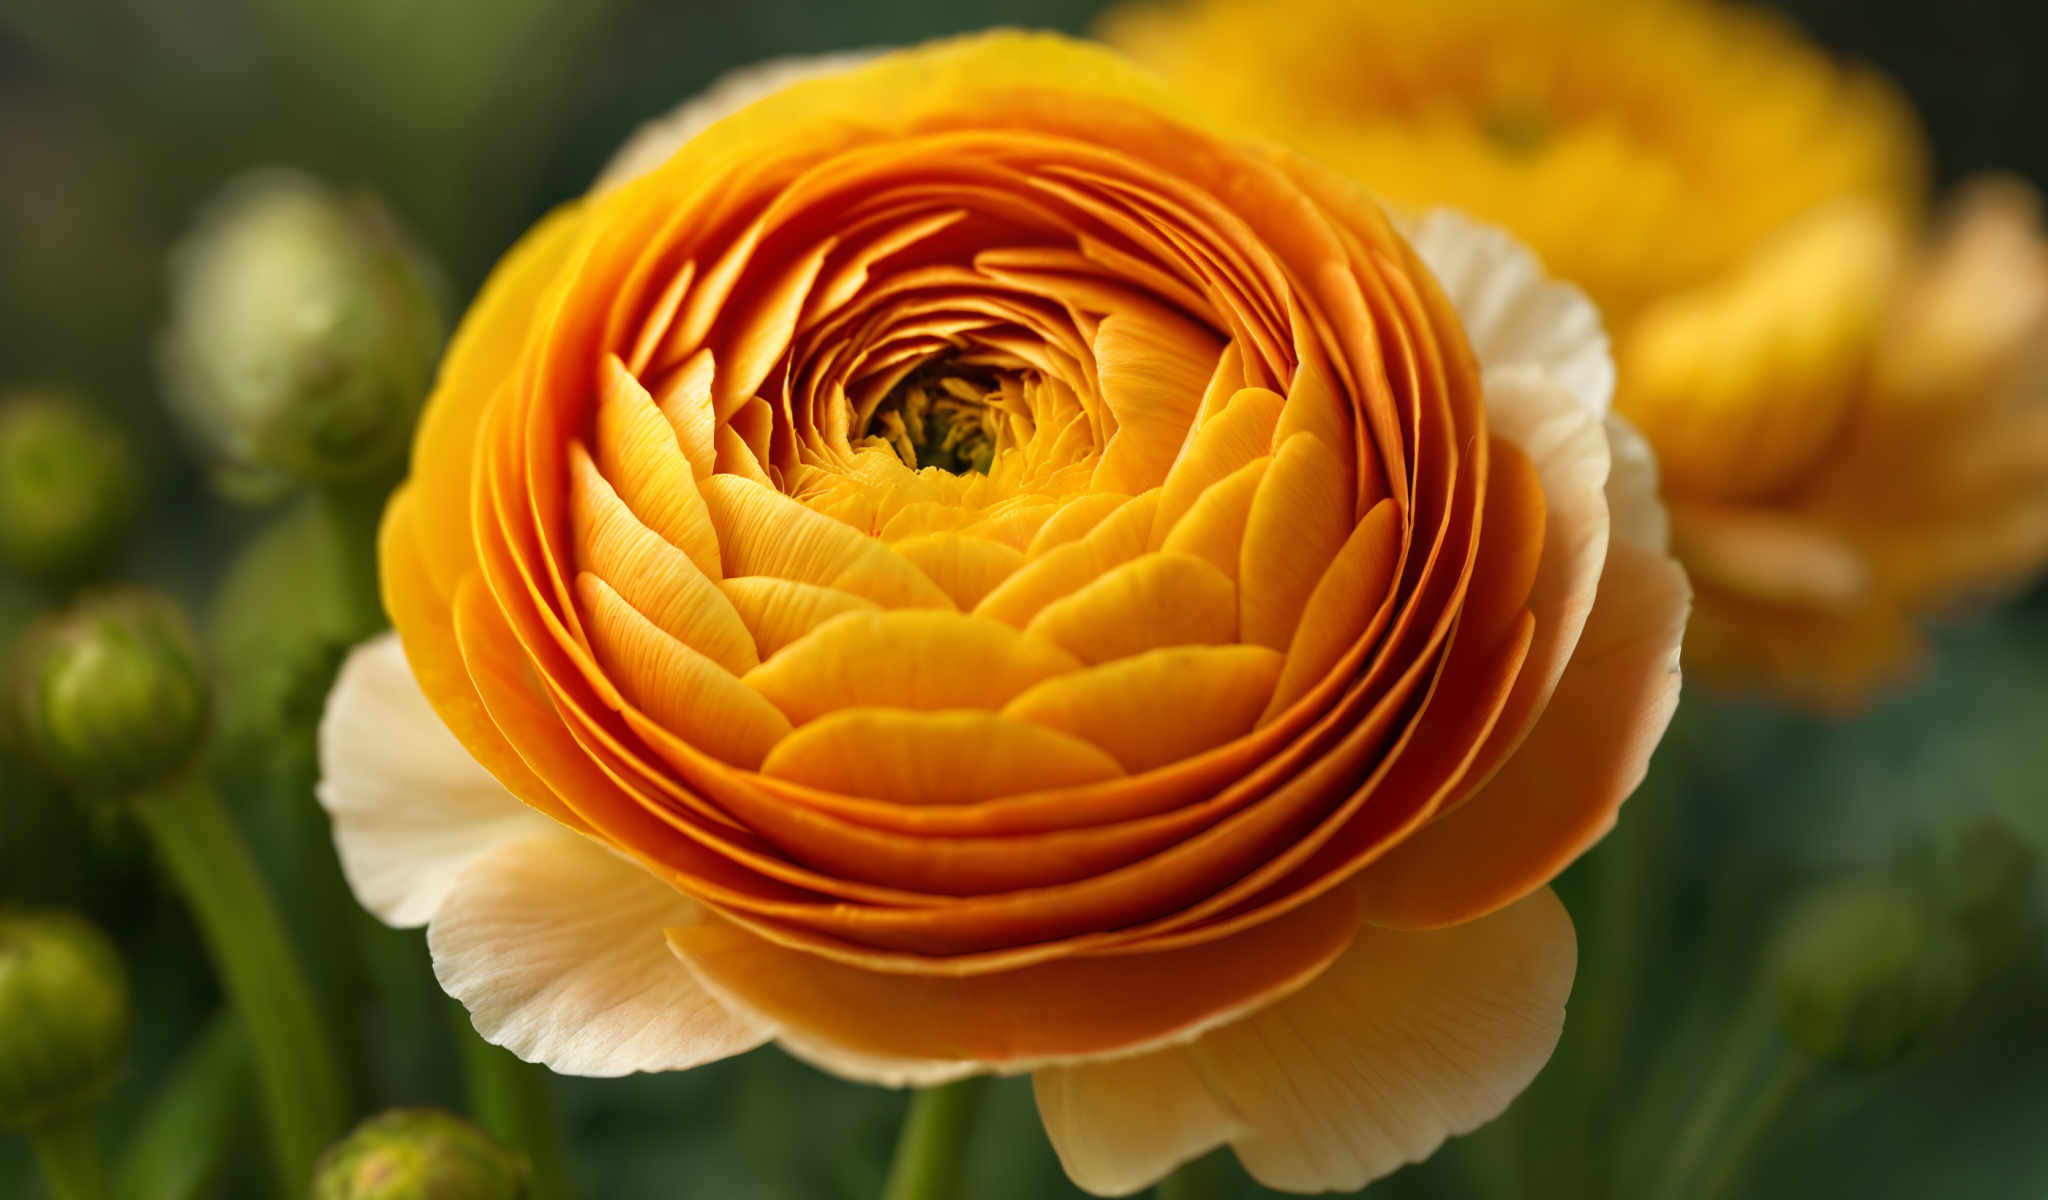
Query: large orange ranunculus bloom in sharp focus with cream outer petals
(964, 570)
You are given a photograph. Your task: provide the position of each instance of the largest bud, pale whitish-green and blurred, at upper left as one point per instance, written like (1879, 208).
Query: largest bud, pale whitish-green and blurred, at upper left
(304, 335)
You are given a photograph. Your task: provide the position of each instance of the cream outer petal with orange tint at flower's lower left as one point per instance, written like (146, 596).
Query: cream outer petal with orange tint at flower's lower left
(556, 947)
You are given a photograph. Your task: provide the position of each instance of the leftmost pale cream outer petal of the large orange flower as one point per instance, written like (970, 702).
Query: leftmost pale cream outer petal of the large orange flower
(411, 808)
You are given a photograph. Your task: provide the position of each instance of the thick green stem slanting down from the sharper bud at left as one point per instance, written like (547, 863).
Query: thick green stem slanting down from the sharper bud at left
(257, 966)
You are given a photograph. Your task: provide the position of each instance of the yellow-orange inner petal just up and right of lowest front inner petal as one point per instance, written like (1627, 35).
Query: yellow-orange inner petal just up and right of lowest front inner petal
(1158, 708)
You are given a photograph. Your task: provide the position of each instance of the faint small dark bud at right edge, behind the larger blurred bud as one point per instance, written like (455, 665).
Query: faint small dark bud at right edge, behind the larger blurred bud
(1981, 875)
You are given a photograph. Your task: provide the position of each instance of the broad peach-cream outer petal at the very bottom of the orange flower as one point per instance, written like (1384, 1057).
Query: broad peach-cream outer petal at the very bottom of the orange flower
(1408, 1039)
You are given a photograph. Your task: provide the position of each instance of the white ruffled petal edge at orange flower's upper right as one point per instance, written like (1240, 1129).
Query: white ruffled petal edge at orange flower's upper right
(1514, 314)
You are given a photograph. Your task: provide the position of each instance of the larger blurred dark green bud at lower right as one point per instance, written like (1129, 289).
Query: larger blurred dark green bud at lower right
(1867, 974)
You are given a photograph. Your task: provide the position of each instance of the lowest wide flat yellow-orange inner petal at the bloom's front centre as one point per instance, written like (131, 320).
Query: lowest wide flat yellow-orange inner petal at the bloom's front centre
(935, 759)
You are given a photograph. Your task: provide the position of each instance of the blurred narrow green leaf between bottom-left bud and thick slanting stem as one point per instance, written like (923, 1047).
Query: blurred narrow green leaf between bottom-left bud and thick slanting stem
(191, 1123)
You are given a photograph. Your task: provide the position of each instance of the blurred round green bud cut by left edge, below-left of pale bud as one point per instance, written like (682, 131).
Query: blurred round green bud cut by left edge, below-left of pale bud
(69, 486)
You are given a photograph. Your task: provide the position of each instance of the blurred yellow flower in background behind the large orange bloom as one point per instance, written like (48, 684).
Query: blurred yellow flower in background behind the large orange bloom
(1744, 210)
